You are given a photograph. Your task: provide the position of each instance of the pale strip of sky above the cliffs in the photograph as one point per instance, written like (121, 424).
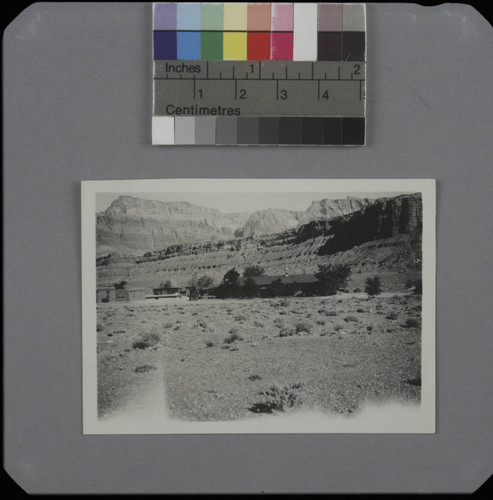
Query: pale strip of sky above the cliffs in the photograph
(241, 202)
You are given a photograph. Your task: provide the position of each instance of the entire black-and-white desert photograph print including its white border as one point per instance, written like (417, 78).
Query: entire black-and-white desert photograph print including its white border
(248, 305)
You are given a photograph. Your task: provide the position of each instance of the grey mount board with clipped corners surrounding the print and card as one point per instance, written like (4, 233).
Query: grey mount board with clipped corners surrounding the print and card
(77, 106)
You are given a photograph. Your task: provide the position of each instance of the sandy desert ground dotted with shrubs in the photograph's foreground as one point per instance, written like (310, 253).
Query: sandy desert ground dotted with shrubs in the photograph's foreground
(230, 359)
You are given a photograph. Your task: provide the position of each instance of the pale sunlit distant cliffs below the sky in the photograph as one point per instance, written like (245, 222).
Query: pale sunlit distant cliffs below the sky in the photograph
(135, 226)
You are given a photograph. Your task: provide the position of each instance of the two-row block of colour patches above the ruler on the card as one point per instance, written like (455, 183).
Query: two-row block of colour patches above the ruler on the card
(259, 32)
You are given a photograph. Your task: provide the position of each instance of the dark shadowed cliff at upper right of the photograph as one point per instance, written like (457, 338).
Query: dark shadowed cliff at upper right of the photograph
(385, 218)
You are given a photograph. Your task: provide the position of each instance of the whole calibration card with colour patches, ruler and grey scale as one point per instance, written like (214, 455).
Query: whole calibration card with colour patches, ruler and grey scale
(259, 74)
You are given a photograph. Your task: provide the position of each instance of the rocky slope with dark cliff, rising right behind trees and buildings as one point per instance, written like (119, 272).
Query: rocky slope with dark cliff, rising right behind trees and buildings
(384, 235)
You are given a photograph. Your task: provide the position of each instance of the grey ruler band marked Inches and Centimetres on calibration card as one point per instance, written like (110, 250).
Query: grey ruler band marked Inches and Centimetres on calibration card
(260, 88)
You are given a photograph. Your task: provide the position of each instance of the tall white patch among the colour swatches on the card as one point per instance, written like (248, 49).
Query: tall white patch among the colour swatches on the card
(305, 32)
